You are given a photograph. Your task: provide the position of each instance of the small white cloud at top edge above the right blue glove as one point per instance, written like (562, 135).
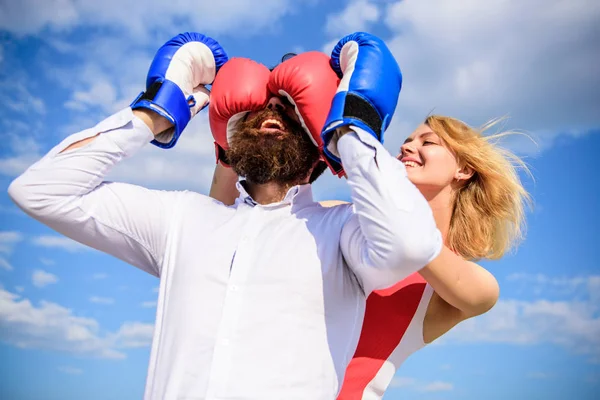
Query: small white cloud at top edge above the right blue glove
(358, 15)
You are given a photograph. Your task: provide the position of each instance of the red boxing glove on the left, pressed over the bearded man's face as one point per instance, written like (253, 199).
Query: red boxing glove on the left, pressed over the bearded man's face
(240, 87)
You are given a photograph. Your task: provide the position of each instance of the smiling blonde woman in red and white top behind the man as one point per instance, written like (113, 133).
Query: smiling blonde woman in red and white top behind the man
(478, 203)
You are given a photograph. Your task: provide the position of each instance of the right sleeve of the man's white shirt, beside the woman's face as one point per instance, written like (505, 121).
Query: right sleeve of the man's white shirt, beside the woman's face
(391, 233)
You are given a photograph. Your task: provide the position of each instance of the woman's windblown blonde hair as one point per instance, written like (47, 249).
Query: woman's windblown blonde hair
(488, 216)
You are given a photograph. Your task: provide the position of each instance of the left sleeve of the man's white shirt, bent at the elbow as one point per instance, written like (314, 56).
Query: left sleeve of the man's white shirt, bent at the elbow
(66, 191)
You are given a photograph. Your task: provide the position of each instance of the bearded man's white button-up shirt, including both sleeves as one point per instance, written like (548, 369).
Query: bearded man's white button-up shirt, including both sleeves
(256, 301)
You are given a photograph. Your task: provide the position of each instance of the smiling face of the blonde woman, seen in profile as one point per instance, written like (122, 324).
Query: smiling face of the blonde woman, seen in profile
(430, 164)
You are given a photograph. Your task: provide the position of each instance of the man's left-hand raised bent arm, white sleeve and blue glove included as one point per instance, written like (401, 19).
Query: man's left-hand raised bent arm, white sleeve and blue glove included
(66, 190)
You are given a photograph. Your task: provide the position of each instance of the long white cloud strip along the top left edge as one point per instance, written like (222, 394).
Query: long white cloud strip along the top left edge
(235, 17)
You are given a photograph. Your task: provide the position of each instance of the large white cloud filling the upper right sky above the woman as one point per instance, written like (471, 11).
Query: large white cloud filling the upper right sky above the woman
(534, 62)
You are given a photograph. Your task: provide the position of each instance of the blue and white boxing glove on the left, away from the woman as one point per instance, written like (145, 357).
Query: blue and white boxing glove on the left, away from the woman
(175, 86)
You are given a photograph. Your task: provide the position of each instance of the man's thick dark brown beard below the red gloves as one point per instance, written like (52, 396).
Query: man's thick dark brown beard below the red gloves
(261, 157)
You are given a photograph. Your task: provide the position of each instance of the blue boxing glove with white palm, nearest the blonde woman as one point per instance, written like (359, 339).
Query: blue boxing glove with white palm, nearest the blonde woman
(368, 91)
